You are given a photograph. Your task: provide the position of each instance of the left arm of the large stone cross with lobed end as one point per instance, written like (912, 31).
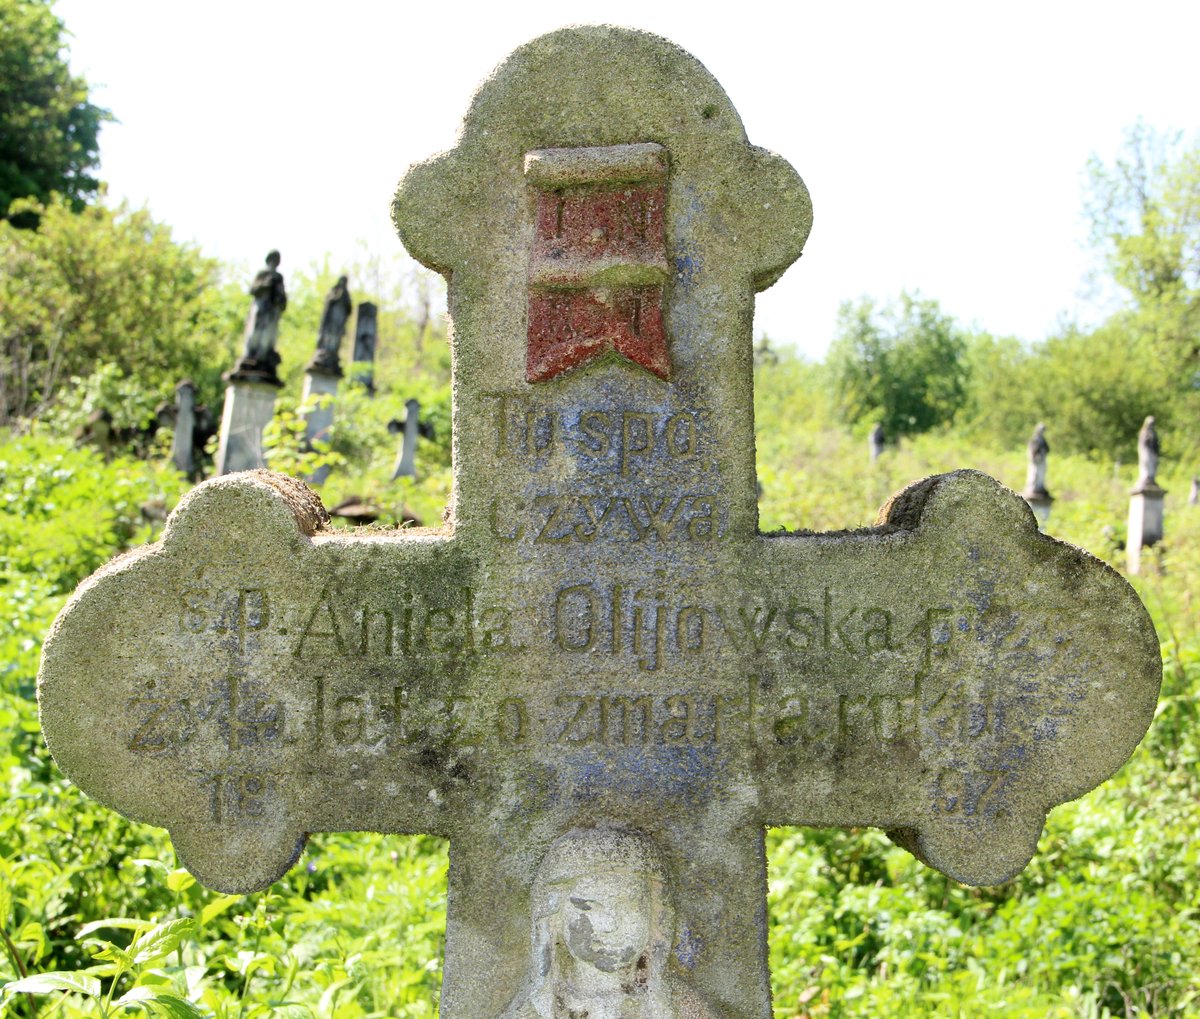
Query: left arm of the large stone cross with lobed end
(249, 680)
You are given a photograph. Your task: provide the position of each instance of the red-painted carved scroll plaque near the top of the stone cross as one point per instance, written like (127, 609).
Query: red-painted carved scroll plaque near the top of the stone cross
(599, 259)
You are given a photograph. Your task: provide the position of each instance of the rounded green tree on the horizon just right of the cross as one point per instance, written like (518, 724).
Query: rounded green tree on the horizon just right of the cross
(902, 365)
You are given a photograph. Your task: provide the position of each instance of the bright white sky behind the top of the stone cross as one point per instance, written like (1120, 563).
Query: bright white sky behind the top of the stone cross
(944, 145)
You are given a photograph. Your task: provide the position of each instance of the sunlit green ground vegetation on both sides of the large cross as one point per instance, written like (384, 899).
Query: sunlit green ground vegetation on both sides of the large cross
(100, 920)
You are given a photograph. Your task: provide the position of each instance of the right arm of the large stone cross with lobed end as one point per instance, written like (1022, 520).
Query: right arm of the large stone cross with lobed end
(950, 675)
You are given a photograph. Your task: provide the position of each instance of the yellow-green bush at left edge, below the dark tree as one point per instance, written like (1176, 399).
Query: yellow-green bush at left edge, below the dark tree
(107, 287)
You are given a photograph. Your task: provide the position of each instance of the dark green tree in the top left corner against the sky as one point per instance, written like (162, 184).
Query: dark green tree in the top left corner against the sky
(49, 129)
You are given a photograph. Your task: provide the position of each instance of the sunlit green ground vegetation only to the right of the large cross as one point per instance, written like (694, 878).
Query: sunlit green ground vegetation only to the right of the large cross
(1105, 921)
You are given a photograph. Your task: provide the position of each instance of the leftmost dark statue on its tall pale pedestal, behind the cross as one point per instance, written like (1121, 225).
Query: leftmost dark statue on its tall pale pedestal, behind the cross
(253, 385)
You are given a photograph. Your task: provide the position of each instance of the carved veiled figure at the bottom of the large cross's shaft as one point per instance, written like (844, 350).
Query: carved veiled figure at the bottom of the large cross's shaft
(604, 930)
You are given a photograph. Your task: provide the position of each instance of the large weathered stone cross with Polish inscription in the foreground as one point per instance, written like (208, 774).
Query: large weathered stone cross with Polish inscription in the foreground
(599, 680)
